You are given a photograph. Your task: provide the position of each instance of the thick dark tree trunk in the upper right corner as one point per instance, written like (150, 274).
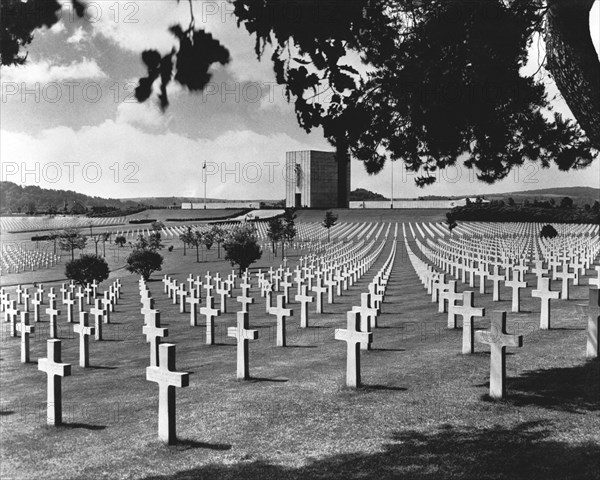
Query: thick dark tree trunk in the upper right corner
(573, 62)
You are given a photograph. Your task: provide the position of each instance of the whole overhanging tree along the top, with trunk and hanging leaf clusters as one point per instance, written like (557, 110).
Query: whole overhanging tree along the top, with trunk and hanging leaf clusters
(444, 82)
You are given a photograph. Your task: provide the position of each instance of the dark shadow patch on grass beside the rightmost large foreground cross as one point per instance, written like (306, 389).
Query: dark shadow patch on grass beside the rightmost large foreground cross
(572, 389)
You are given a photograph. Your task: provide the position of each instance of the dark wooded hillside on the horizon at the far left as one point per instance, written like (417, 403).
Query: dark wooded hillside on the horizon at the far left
(32, 199)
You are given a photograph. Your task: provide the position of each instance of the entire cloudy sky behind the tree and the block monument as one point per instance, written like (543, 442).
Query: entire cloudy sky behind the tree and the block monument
(69, 121)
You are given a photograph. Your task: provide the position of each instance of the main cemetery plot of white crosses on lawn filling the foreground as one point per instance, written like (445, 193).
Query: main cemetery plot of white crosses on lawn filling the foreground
(252, 405)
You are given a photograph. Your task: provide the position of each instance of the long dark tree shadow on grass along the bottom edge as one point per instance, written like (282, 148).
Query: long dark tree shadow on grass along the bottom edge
(524, 451)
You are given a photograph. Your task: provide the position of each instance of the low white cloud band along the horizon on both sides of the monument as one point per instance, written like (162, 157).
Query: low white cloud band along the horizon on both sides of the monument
(119, 159)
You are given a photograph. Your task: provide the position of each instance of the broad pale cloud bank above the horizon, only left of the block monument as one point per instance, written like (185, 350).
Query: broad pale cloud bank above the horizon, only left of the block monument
(241, 164)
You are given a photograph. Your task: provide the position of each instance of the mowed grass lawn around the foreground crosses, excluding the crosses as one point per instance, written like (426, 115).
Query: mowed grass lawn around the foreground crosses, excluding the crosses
(421, 414)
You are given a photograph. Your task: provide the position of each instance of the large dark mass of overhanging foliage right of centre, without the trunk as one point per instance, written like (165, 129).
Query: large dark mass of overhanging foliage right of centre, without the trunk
(445, 83)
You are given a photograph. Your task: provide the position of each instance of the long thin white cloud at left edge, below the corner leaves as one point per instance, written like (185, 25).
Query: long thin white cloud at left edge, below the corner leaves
(44, 71)
